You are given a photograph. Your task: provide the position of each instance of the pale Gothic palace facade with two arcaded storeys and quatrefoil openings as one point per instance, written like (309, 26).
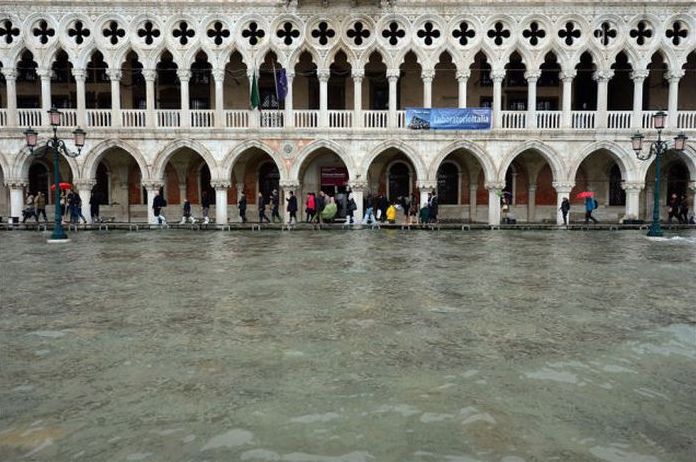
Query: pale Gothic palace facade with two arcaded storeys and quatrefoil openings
(163, 91)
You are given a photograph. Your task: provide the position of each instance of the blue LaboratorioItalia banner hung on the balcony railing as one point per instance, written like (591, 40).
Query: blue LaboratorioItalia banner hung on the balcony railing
(448, 119)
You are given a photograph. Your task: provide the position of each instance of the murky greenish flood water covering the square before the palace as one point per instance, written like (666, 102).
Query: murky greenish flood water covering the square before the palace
(348, 347)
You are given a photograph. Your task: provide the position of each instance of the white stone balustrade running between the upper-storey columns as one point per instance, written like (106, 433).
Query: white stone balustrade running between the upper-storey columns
(335, 119)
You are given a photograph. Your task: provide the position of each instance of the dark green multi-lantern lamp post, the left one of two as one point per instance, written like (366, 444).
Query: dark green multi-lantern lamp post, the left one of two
(58, 146)
